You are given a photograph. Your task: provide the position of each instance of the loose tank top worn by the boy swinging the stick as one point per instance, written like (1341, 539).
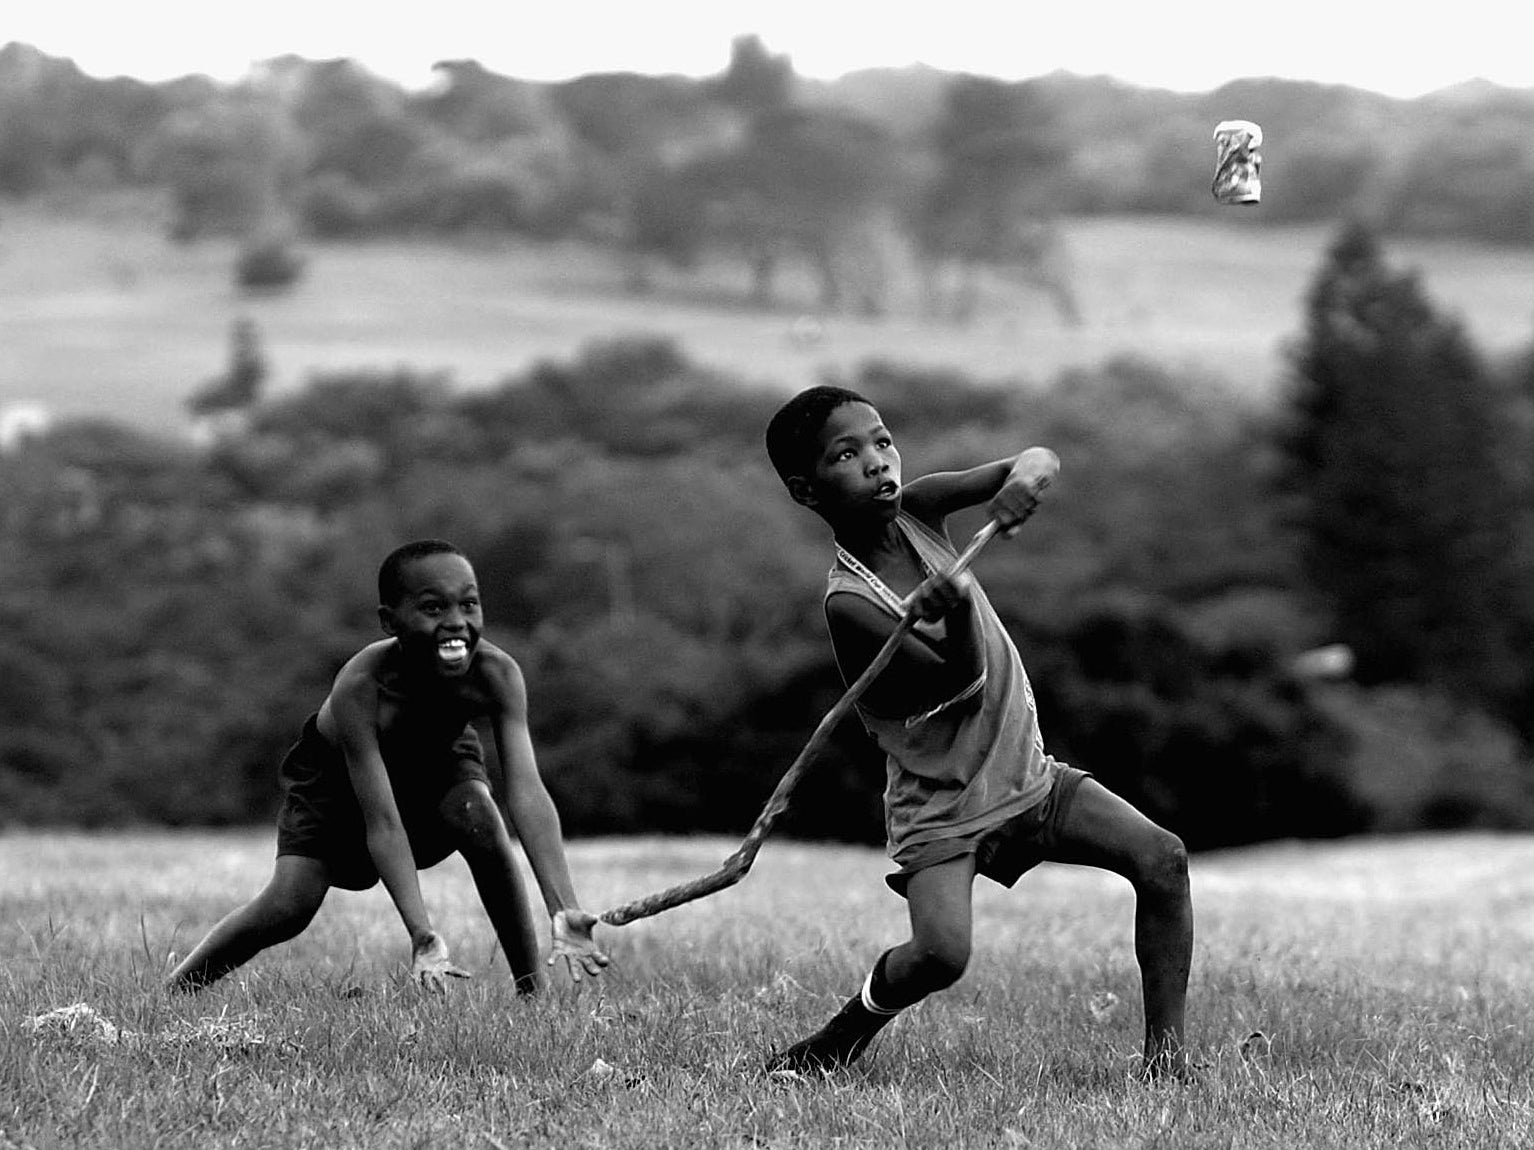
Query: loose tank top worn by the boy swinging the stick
(975, 761)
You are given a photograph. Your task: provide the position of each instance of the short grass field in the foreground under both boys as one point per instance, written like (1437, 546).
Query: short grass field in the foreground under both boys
(1389, 982)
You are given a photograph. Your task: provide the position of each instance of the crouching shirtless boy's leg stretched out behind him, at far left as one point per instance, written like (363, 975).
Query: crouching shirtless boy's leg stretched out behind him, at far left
(281, 912)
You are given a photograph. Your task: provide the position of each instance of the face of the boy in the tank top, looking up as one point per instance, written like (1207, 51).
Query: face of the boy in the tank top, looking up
(857, 468)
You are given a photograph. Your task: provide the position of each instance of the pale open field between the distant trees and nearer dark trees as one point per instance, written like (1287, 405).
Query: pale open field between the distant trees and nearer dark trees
(100, 314)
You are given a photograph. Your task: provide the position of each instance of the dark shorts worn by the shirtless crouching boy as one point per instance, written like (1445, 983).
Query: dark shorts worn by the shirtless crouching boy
(321, 816)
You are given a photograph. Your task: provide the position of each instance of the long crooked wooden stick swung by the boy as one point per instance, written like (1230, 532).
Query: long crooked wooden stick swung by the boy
(739, 864)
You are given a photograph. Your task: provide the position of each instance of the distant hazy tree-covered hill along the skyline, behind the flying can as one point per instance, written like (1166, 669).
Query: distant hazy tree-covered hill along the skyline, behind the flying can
(946, 171)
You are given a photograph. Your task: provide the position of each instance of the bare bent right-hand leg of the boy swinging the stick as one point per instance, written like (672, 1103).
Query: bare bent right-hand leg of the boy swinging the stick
(1104, 830)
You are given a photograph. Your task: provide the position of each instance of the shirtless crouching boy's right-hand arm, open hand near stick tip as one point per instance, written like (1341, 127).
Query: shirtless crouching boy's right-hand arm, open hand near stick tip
(538, 821)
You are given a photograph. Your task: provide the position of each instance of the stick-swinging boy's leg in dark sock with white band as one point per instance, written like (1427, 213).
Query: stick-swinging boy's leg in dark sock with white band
(932, 961)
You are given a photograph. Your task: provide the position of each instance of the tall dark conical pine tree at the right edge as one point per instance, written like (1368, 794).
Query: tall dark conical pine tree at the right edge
(1397, 482)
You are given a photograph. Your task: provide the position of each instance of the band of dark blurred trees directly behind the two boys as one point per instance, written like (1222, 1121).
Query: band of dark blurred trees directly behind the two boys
(170, 613)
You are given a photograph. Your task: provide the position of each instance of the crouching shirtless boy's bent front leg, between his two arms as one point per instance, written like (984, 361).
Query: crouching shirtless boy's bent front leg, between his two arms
(479, 833)
